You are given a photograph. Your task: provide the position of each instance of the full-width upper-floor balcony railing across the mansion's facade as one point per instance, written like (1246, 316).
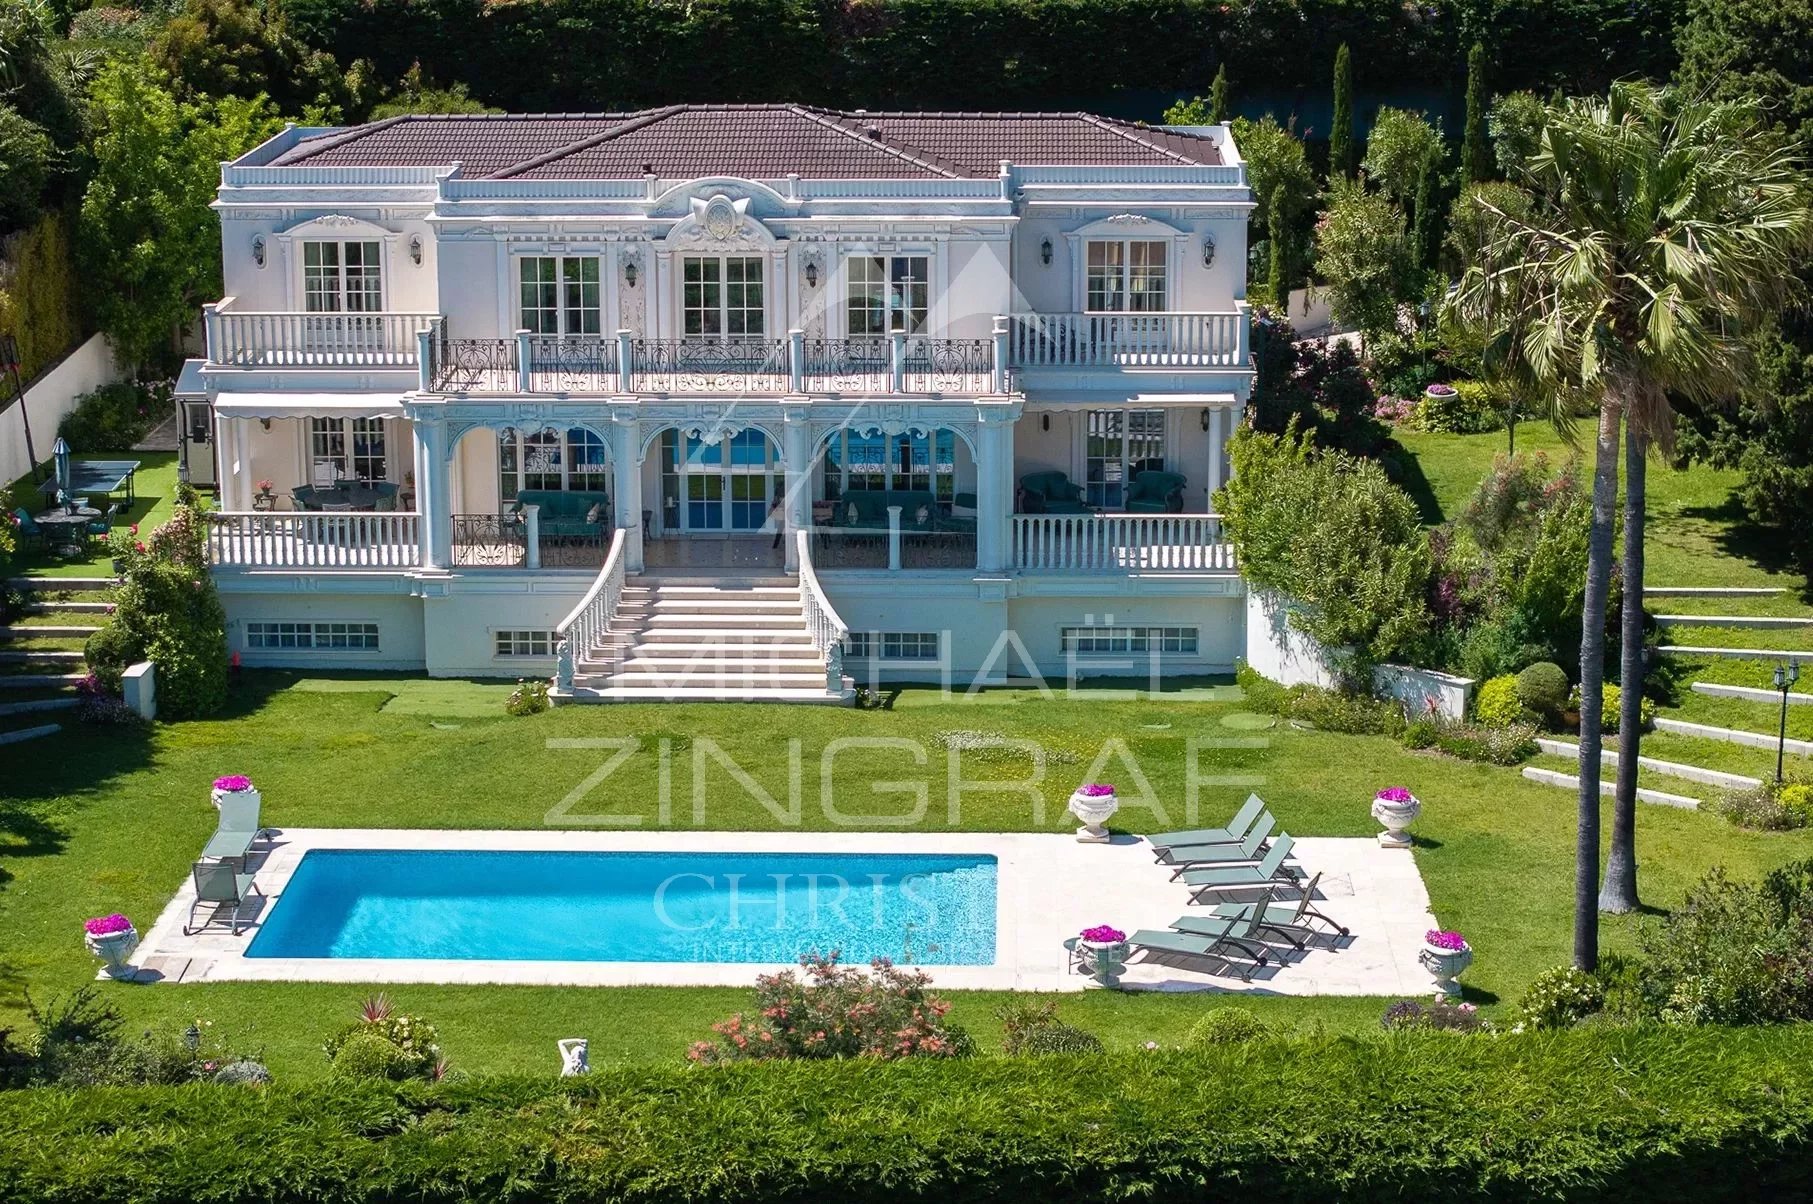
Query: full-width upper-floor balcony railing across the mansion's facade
(1042, 349)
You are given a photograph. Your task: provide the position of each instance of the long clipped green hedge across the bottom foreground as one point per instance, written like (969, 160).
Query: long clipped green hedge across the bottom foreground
(1576, 1116)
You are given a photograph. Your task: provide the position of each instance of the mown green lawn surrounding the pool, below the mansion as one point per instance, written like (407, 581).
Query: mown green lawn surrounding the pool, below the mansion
(101, 820)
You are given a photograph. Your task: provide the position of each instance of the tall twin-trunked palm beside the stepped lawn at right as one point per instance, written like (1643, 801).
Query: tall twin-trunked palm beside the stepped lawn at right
(1662, 231)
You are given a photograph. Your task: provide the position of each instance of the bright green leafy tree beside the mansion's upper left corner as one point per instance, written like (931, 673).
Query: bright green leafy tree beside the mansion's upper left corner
(150, 244)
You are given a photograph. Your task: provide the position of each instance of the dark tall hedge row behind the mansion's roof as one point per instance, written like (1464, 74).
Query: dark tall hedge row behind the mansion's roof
(561, 55)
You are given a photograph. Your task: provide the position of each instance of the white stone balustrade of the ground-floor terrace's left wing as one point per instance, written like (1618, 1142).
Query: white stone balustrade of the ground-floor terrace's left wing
(315, 541)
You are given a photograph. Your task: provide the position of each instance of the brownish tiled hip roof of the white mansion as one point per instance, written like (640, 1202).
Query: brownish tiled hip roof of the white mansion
(762, 142)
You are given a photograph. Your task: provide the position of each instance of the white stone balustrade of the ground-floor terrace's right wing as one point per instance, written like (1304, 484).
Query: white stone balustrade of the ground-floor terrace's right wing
(1121, 545)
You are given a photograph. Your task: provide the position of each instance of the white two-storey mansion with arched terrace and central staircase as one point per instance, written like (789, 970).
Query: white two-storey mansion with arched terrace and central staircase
(722, 402)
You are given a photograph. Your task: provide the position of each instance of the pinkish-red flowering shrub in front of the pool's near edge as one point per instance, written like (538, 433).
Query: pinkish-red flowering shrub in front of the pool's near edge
(839, 1013)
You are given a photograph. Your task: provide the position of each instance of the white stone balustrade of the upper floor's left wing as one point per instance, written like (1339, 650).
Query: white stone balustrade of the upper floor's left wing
(251, 340)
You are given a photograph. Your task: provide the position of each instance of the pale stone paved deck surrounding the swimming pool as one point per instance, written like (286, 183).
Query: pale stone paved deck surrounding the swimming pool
(1051, 888)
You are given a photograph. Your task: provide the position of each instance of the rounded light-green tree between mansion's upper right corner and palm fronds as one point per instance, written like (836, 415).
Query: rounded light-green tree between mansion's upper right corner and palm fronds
(1364, 257)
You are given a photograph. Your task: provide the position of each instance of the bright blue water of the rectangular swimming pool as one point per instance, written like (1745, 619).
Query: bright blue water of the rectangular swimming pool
(634, 908)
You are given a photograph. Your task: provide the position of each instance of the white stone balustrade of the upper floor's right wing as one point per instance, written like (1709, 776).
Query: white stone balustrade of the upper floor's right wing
(1129, 340)
